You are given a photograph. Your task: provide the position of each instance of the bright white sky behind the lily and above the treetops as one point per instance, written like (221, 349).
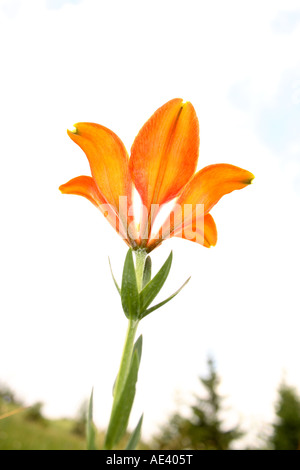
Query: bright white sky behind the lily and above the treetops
(115, 63)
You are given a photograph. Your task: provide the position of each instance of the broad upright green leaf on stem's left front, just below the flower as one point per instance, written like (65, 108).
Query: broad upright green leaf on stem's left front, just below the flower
(129, 290)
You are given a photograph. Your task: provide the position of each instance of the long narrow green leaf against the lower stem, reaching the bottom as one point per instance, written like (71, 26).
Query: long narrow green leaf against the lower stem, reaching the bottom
(121, 412)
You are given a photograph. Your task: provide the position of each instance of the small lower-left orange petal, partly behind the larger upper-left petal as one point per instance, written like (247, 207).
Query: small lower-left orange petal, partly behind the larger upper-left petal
(85, 186)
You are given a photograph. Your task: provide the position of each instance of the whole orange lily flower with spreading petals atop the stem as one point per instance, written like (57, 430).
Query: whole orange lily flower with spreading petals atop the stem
(162, 168)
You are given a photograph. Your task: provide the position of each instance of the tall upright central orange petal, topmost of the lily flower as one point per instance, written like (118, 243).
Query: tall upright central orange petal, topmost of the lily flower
(165, 152)
